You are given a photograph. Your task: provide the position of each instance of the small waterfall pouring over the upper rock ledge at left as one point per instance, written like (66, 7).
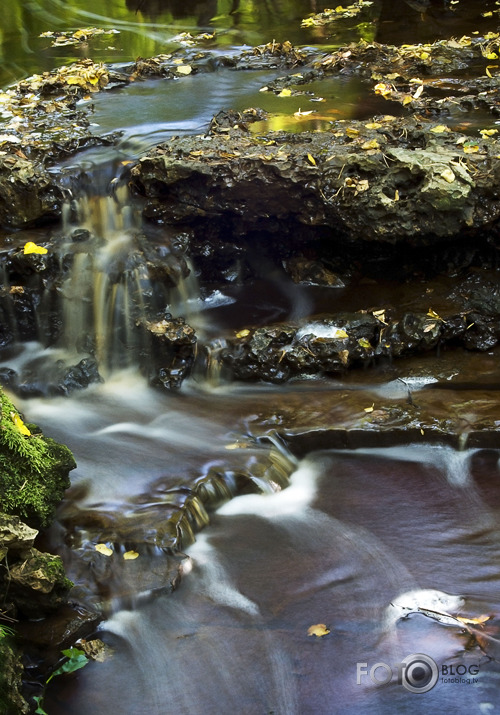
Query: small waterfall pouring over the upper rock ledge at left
(120, 285)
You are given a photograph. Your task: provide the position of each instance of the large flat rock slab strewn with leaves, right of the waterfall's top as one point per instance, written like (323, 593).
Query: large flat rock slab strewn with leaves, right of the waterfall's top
(397, 182)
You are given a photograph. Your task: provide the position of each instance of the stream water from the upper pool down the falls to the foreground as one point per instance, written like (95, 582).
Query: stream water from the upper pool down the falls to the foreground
(384, 546)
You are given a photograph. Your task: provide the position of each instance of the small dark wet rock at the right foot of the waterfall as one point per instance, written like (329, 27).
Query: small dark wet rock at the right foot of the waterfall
(170, 352)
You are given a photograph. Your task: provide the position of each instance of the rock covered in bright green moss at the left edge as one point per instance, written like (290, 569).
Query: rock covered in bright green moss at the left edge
(34, 470)
